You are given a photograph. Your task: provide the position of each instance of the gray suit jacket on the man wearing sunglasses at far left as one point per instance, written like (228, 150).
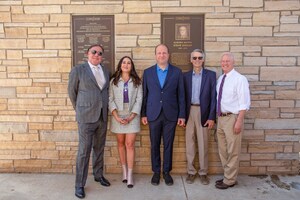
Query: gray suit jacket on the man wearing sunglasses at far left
(87, 98)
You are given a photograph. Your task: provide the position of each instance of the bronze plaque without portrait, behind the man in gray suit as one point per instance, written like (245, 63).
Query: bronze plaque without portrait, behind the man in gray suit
(93, 29)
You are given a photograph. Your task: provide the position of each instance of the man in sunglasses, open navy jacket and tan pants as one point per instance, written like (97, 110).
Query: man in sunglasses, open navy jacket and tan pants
(200, 98)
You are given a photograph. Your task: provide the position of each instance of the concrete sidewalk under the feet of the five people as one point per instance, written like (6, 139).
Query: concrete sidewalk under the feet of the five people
(61, 187)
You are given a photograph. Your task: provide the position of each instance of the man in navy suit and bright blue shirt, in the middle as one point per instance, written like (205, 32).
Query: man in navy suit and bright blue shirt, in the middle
(163, 107)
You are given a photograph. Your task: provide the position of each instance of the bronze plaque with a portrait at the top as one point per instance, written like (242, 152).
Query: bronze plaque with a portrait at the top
(182, 34)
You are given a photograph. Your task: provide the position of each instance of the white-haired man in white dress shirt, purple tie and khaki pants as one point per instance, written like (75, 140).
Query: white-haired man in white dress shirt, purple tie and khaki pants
(233, 100)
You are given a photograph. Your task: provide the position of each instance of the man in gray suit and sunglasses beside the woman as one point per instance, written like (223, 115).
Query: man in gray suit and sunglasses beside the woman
(88, 92)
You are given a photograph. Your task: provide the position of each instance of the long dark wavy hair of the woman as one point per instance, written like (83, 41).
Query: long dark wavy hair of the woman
(133, 75)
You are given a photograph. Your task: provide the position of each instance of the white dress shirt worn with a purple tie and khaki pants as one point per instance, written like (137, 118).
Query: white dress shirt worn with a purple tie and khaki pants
(236, 93)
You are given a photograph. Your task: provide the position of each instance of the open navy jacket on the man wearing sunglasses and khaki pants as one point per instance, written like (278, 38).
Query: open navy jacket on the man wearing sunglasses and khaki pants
(207, 94)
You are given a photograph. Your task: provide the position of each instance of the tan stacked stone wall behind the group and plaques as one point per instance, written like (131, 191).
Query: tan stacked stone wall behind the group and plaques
(38, 132)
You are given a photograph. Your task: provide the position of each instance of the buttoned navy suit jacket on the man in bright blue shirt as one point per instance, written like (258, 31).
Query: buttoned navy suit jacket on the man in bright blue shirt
(169, 99)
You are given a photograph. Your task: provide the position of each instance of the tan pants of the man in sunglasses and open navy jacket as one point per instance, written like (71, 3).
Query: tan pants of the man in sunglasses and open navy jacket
(194, 130)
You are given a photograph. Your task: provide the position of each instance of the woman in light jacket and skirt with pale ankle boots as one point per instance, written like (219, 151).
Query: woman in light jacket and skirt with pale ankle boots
(125, 101)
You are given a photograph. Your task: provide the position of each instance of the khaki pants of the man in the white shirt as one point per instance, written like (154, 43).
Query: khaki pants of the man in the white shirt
(229, 147)
